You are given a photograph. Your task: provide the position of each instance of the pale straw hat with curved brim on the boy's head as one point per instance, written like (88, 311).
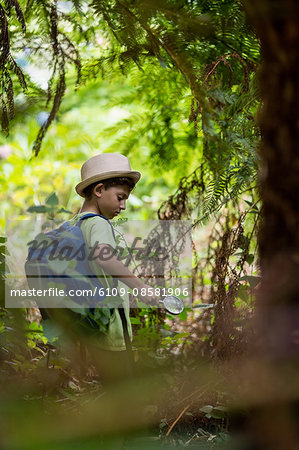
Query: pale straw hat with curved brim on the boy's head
(104, 166)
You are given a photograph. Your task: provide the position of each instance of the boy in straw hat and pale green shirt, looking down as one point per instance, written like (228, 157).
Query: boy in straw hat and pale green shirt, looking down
(107, 181)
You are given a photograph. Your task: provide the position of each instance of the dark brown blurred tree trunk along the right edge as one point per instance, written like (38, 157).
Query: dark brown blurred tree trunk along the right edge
(277, 25)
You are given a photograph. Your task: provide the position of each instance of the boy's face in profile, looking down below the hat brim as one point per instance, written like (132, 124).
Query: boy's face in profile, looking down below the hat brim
(112, 200)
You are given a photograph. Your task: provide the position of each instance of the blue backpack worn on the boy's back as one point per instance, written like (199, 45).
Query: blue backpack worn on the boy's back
(59, 259)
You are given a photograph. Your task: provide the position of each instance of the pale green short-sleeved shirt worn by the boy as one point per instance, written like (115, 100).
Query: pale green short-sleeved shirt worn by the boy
(97, 230)
